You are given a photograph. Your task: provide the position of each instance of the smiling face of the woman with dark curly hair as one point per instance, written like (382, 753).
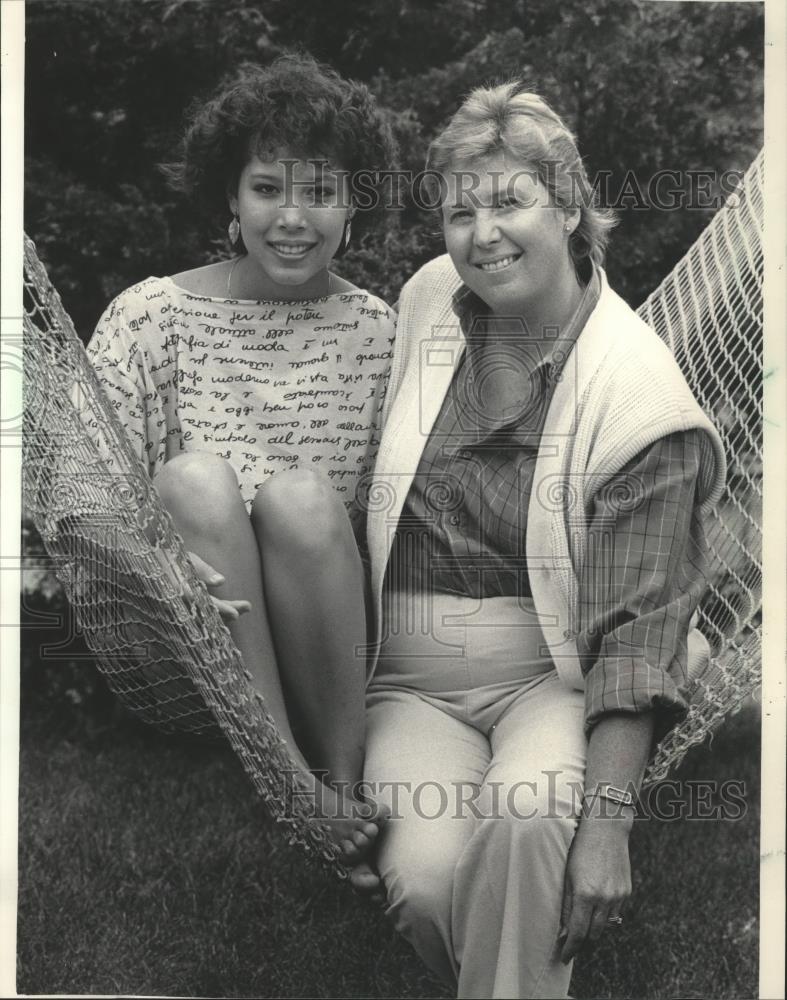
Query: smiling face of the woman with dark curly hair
(292, 216)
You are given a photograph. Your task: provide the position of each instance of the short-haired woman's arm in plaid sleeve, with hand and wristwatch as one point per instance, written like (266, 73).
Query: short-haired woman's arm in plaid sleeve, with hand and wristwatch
(638, 593)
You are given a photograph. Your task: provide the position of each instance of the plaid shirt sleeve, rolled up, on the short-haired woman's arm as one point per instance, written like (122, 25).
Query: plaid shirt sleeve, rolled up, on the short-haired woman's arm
(642, 580)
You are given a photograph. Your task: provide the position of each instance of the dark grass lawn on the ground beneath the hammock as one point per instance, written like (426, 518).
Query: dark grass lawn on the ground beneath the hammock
(148, 866)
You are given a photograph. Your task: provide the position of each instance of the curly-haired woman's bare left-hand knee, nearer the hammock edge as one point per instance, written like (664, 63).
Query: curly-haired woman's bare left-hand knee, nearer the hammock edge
(194, 484)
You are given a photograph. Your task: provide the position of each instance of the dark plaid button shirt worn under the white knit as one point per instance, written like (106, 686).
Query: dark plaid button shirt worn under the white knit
(463, 526)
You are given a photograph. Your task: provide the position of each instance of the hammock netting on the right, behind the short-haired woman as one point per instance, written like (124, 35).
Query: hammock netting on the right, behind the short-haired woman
(709, 311)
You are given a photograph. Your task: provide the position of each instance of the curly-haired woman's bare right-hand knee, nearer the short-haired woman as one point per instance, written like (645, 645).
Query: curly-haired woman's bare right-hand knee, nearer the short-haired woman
(300, 509)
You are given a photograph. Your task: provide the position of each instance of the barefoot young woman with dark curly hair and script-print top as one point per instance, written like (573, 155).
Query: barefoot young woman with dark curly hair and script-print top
(250, 388)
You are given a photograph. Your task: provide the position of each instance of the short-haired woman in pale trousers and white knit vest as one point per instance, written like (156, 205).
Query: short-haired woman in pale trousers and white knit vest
(537, 552)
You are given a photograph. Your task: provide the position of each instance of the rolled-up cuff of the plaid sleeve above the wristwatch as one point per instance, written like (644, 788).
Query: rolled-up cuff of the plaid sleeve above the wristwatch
(631, 685)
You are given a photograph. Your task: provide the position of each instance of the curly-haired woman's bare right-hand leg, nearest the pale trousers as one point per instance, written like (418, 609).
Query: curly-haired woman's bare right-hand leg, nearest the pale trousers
(313, 580)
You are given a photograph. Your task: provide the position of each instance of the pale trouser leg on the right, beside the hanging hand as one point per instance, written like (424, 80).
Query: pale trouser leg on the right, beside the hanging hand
(509, 880)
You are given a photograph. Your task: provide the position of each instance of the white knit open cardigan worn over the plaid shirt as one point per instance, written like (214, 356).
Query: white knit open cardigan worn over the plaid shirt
(621, 390)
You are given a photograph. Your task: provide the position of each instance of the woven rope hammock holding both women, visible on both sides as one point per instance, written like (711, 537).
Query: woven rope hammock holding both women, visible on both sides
(170, 658)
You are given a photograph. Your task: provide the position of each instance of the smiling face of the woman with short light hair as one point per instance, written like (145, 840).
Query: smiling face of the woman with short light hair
(508, 240)
